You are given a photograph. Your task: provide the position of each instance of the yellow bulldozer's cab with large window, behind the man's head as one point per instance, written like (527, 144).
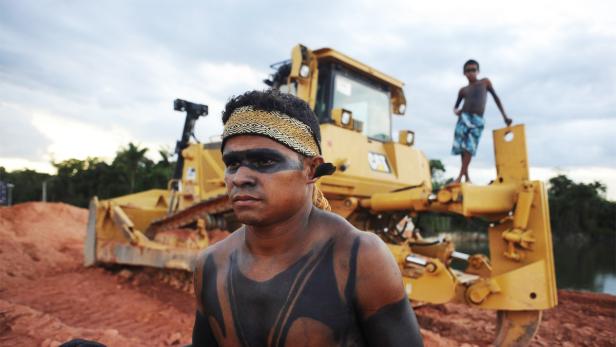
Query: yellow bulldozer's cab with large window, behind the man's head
(332, 82)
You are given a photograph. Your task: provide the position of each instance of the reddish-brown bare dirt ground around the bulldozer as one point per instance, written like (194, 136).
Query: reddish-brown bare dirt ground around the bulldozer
(46, 296)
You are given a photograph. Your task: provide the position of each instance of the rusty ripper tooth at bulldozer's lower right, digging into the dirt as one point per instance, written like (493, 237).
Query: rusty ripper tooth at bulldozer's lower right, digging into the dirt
(516, 328)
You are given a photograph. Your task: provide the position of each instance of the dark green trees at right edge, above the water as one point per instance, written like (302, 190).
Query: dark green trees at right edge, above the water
(580, 208)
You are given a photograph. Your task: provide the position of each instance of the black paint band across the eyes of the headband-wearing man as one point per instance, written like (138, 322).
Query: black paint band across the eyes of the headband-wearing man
(263, 160)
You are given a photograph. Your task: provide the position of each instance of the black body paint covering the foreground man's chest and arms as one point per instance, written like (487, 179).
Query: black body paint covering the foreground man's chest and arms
(263, 313)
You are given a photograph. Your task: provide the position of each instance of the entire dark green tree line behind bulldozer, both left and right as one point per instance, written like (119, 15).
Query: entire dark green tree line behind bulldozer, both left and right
(574, 207)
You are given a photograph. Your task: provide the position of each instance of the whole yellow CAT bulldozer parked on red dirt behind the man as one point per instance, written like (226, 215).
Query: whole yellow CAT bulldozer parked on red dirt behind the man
(379, 186)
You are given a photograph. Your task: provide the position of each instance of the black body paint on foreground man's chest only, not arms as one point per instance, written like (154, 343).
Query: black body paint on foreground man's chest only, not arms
(265, 312)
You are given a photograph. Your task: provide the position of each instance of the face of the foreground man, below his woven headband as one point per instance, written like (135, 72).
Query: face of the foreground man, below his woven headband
(266, 181)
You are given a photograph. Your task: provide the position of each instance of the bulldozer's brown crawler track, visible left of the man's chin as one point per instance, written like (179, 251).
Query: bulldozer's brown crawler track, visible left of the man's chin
(215, 205)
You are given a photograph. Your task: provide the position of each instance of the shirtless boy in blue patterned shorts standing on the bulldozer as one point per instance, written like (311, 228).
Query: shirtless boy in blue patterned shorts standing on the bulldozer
(470, 116)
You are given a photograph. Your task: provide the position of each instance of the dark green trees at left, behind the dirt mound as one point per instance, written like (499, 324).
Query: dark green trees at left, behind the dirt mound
(77, 181)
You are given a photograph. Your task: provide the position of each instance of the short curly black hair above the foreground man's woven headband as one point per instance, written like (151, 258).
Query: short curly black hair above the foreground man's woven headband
(274, 100)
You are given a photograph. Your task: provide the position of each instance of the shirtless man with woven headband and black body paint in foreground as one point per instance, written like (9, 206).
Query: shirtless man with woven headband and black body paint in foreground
(294, 274)
